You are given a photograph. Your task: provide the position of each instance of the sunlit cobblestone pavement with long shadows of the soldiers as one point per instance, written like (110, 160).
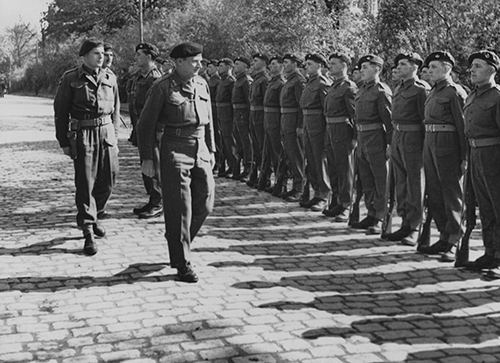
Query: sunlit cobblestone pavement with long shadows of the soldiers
(277, 283)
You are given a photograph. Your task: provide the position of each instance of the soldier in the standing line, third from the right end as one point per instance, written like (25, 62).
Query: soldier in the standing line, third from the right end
(407, 146)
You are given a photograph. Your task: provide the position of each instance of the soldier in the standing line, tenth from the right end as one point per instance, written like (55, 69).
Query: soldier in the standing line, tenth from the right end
(240, 99)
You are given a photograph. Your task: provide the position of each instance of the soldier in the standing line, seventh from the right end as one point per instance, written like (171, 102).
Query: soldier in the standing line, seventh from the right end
(291, 122)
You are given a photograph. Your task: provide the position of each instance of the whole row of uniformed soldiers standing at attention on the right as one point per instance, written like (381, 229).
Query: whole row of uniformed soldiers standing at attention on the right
(323, 130)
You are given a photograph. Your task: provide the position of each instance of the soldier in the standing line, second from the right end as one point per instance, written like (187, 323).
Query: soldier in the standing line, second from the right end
(444, 154)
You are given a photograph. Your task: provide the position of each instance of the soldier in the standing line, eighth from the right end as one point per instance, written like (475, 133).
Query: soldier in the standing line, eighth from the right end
(272, 116)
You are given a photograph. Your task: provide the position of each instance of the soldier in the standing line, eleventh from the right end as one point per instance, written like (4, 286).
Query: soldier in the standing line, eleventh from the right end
(224, 106)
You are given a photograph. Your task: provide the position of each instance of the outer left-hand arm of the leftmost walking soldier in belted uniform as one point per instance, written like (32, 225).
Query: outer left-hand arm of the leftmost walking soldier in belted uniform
(62, 106)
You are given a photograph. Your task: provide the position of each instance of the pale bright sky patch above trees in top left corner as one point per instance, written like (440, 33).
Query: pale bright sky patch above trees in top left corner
(26, 10)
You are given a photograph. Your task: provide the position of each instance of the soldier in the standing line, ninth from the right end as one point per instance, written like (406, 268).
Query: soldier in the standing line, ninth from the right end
(257, 91)
